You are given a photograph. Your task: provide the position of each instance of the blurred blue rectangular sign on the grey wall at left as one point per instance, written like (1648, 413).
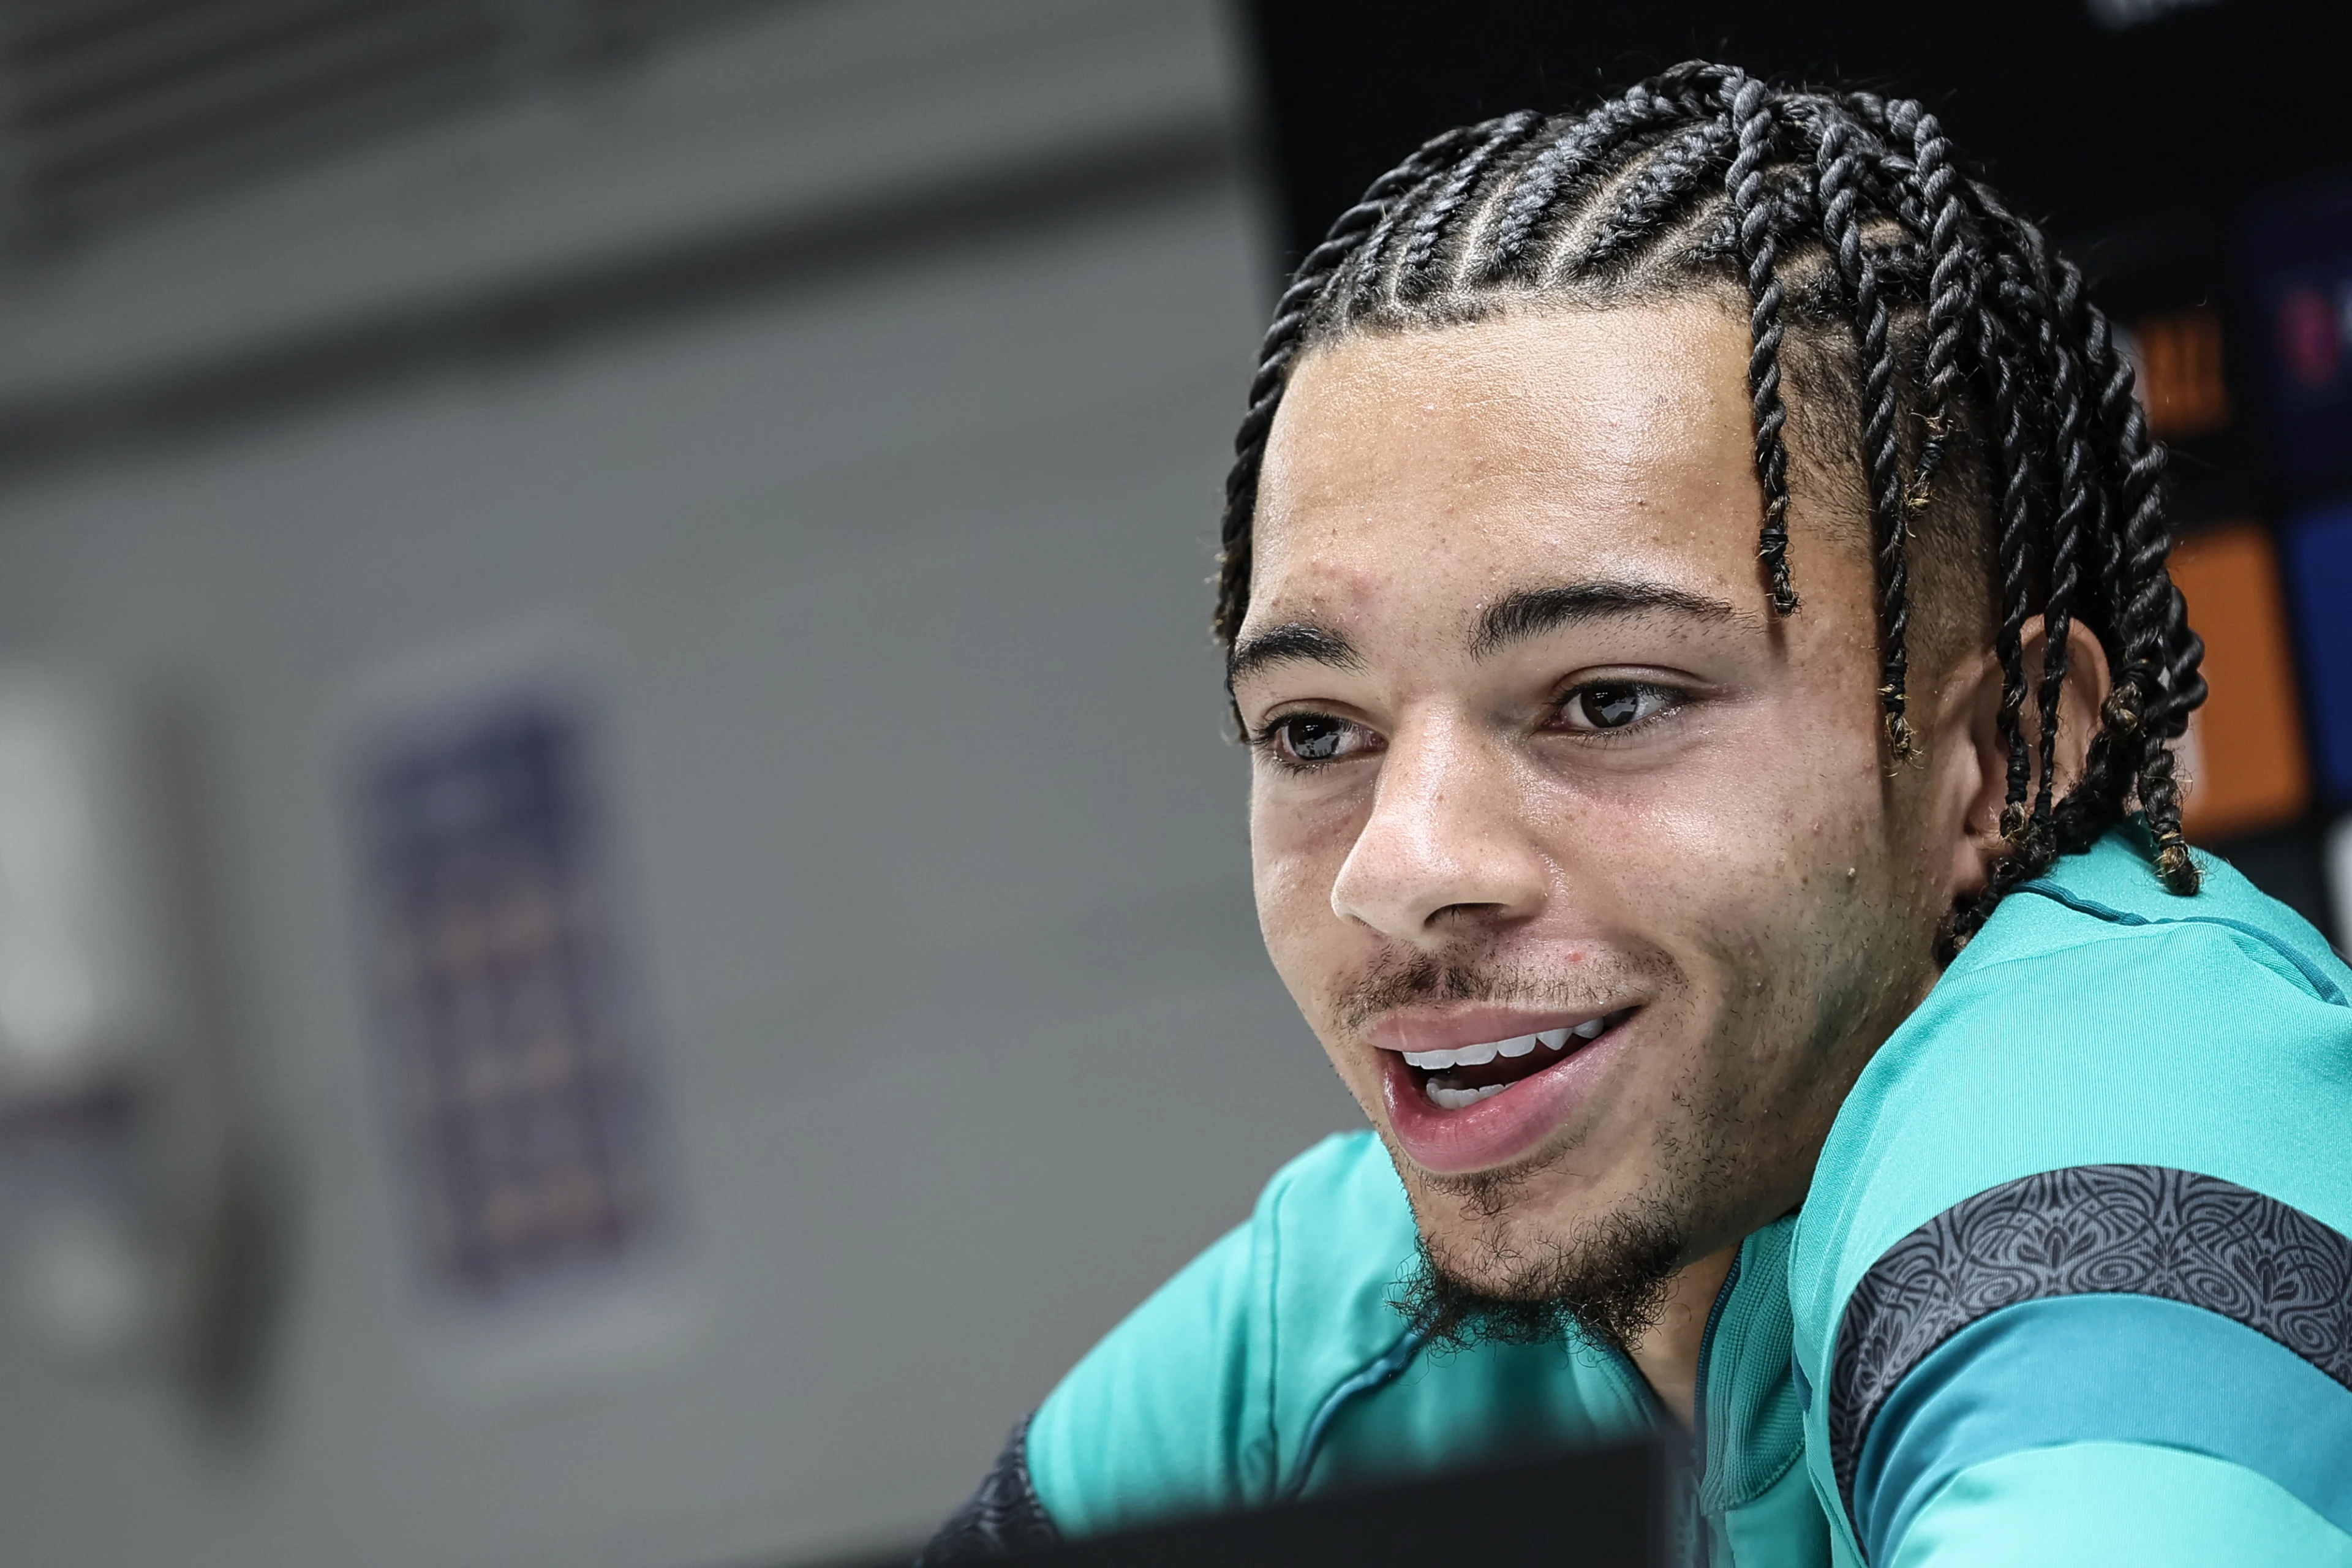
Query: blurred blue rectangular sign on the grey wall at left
(505, 996)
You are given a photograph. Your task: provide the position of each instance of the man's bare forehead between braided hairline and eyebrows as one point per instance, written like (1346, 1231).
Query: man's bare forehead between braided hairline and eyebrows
(1436, 469)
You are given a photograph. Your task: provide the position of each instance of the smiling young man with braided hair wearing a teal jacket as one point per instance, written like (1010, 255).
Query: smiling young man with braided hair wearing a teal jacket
(1695, 589)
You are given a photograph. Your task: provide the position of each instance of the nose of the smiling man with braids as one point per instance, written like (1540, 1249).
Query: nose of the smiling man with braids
(1450, 840)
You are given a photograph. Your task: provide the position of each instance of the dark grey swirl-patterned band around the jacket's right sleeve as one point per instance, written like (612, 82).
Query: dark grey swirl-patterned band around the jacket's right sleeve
(2118, 1231)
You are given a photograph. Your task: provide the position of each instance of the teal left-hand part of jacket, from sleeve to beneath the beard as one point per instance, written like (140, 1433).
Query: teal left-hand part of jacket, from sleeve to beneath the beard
(1278, 1365)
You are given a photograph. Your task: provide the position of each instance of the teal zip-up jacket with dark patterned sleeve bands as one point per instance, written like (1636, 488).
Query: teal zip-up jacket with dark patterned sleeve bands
(2071, 1287)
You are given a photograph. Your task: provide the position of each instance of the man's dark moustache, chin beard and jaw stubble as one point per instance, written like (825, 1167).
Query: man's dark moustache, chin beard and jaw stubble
(1730, 1151)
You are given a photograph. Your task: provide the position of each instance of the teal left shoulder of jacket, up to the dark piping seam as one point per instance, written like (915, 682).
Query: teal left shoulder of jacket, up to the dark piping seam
(1203, 1395)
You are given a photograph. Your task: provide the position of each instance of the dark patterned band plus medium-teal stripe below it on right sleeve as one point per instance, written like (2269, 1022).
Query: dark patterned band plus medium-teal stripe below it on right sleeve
(2125, 1306)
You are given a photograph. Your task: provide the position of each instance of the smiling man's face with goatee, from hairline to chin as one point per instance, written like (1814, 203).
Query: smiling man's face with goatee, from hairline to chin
(1582, 864)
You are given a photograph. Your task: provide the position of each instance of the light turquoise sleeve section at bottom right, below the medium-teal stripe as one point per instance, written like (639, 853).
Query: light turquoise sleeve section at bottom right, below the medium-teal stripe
(2125, 1506)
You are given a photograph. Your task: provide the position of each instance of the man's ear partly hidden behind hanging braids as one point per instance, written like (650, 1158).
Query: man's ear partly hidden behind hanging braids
(1977, 763)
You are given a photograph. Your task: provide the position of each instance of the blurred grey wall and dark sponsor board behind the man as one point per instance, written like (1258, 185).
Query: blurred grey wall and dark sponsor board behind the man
(624, 911)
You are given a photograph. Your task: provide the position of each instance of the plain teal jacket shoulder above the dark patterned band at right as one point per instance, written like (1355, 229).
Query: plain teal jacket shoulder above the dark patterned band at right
(2094, 1024)
